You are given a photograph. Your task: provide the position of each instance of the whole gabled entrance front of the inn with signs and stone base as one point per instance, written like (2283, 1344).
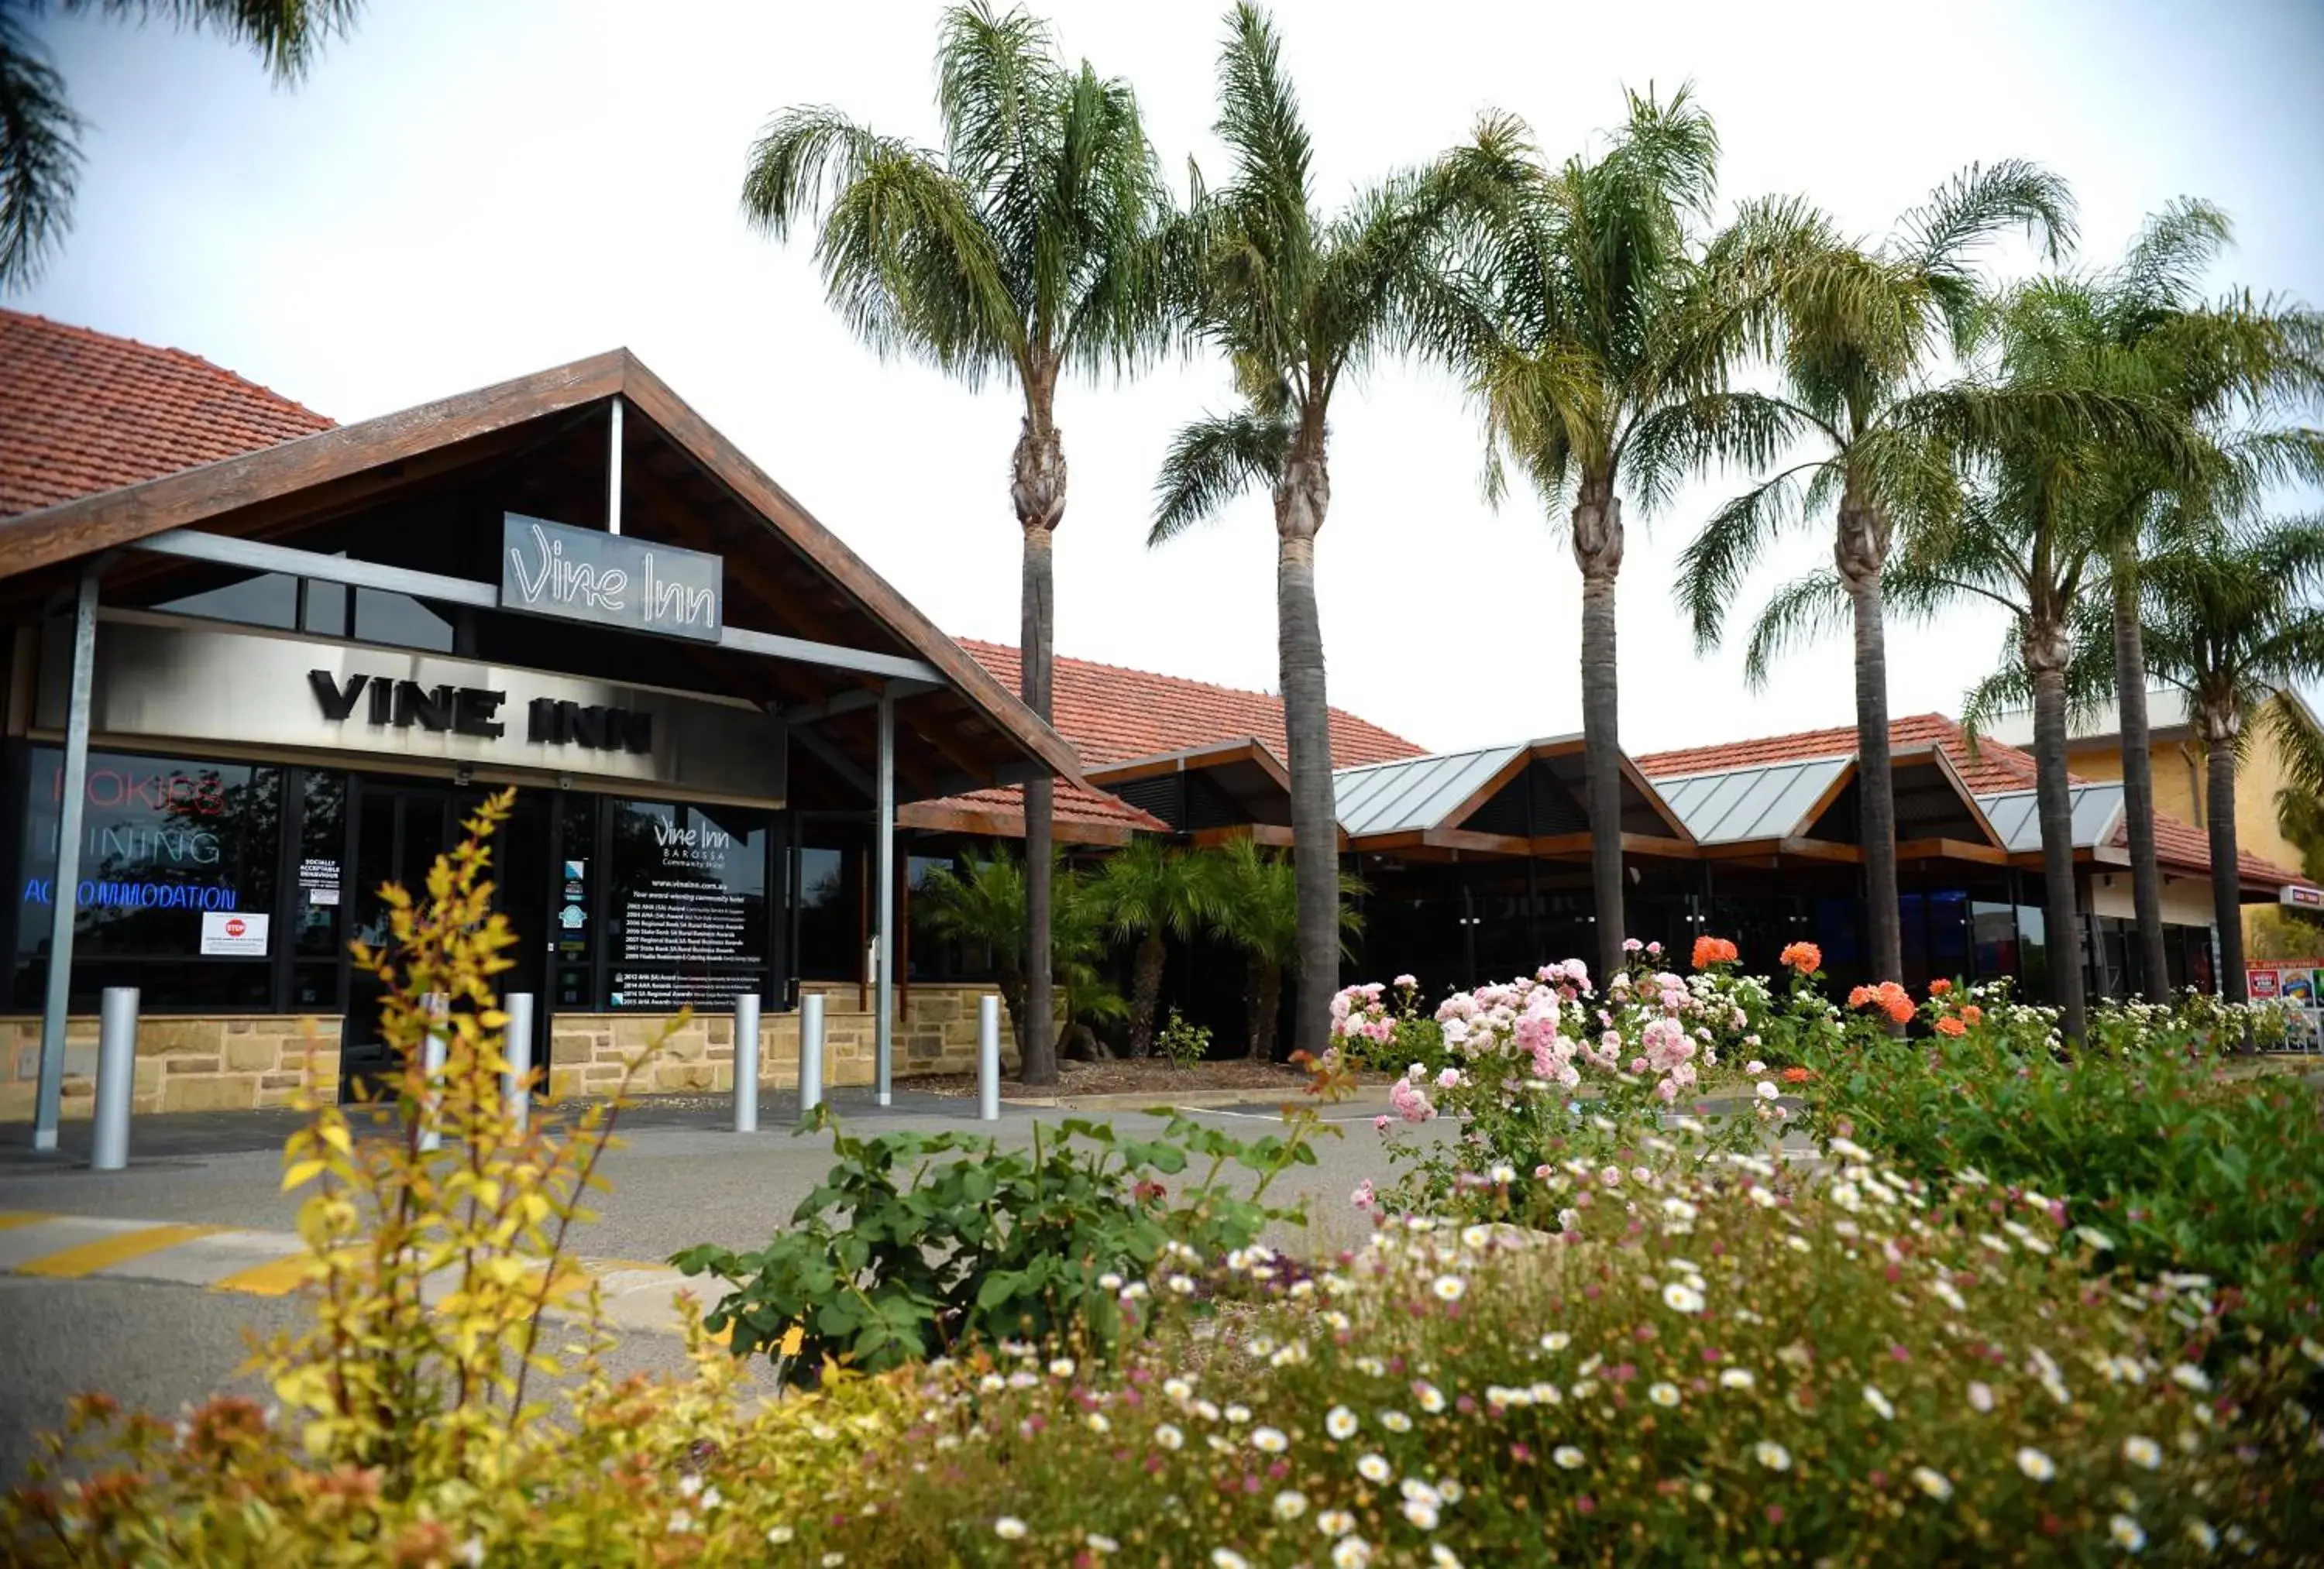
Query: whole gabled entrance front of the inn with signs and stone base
(320, 657)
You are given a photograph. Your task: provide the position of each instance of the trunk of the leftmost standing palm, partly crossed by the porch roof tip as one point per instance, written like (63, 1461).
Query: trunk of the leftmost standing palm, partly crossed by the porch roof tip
(1038, 492)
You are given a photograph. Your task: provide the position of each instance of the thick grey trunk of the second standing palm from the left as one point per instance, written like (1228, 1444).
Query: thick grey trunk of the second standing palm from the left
(1303, 499)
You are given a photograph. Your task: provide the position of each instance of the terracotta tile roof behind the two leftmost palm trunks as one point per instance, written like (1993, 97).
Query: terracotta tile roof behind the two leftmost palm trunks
(1114, 715)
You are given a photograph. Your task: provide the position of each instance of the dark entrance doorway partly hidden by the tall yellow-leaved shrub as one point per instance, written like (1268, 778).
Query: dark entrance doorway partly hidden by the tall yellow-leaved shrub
(396, 831)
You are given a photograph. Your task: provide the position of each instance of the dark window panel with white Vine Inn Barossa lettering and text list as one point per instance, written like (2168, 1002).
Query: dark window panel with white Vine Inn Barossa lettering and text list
(687, 910)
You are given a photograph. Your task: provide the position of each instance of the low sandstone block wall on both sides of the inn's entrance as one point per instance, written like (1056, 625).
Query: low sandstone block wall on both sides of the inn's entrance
(245, 1061)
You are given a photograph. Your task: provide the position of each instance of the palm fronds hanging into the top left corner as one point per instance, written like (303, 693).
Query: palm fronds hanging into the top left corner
(41, 152)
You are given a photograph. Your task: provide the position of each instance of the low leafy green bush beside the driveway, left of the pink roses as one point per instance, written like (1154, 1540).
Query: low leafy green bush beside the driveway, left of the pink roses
(898, 1256)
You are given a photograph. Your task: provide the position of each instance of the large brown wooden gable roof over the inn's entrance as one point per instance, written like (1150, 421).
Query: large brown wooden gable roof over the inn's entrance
(550, 431)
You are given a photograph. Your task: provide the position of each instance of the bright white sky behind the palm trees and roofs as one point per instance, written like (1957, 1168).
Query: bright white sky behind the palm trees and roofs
(473, 192)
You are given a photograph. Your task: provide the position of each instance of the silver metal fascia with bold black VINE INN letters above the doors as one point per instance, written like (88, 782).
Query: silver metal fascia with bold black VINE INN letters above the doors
(164, 680)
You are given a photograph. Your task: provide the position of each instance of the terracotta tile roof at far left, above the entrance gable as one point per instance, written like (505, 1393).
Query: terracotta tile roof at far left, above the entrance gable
(85, 413)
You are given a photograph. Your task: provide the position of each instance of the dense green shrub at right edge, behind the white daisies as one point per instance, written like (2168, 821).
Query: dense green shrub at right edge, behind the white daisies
(2149, 1140)
